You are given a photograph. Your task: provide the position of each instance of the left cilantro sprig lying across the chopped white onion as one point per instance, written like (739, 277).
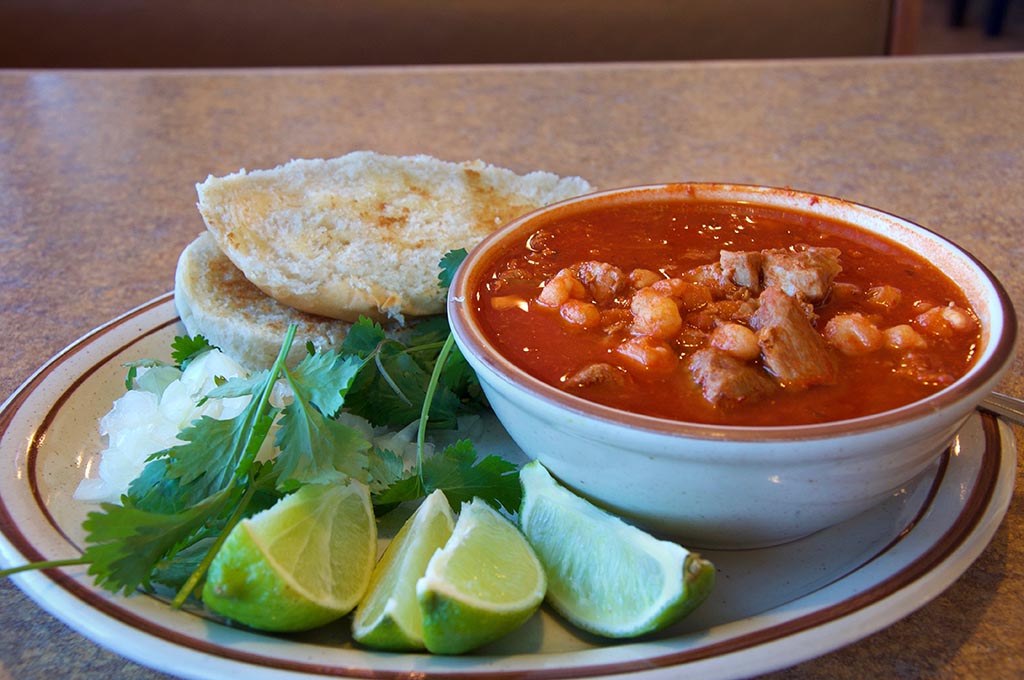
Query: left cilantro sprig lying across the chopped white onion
(201, 489)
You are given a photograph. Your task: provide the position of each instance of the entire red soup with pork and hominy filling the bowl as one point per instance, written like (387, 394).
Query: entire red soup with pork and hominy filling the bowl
(889, 328)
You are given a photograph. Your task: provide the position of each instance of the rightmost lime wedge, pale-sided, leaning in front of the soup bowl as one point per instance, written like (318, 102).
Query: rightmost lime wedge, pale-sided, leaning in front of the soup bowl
(604, 575)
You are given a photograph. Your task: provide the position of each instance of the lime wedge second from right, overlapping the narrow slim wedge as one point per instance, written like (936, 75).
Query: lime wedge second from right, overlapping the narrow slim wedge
(485, 583)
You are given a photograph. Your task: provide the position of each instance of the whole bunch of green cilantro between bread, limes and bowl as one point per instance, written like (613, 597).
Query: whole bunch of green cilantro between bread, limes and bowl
(177, 515)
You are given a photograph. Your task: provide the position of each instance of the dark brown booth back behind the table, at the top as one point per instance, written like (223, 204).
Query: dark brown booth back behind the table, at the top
(251, 33)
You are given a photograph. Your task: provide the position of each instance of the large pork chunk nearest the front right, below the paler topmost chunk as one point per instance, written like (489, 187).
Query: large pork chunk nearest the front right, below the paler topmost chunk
(791, 349)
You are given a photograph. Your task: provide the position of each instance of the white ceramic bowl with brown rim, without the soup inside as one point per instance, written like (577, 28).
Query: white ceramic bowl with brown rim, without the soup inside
(716, 487)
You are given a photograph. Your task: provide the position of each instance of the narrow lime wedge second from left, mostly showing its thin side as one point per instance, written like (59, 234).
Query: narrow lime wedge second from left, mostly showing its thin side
(390, 618)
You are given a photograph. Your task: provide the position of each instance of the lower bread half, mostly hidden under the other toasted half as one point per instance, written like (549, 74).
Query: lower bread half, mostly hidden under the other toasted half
(215, 300)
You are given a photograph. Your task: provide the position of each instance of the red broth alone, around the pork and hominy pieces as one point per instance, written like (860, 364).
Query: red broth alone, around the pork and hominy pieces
(673, 239)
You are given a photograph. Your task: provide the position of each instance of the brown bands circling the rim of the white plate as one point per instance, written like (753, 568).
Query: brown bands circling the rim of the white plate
(958, 533)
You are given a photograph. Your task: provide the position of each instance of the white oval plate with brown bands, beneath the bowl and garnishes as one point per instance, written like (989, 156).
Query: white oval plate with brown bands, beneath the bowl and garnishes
(772, 608)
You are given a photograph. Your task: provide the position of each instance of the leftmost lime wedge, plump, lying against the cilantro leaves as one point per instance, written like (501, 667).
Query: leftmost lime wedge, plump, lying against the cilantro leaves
(302, 564)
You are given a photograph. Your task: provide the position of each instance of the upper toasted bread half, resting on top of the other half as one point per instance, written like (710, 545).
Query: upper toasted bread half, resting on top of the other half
(364, 234)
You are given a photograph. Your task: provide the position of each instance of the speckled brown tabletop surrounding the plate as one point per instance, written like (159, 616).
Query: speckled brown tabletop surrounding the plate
(97, 201)
